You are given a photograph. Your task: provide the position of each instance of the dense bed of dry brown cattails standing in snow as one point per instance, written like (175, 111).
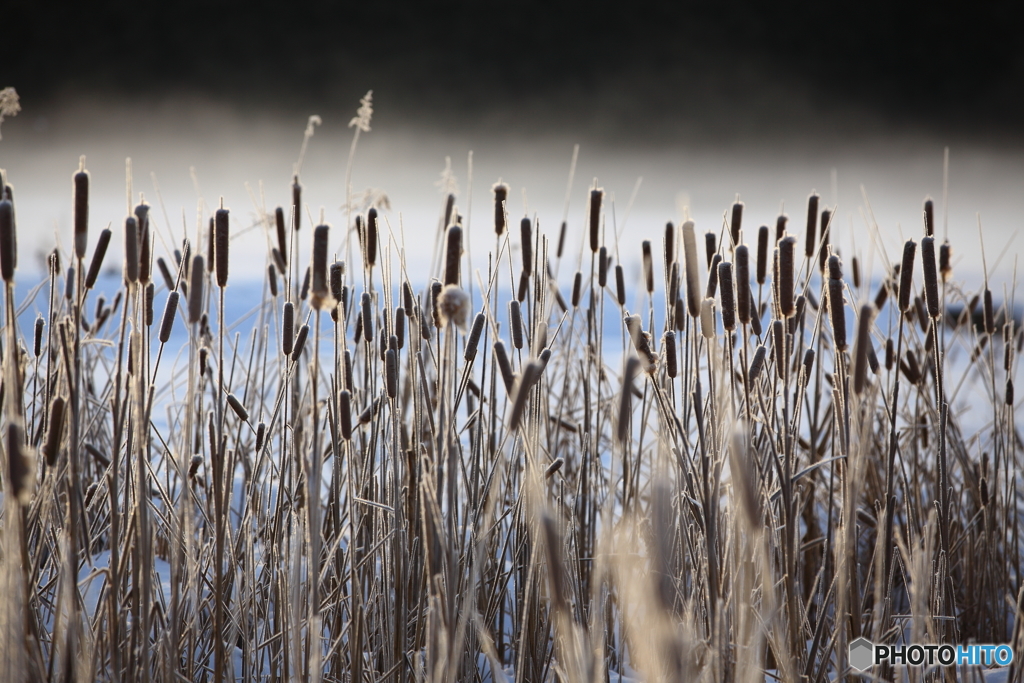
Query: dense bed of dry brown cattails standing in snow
(492, 475)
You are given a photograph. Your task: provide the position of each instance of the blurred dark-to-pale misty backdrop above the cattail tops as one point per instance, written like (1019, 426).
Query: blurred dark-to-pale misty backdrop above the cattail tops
(703, 101)
